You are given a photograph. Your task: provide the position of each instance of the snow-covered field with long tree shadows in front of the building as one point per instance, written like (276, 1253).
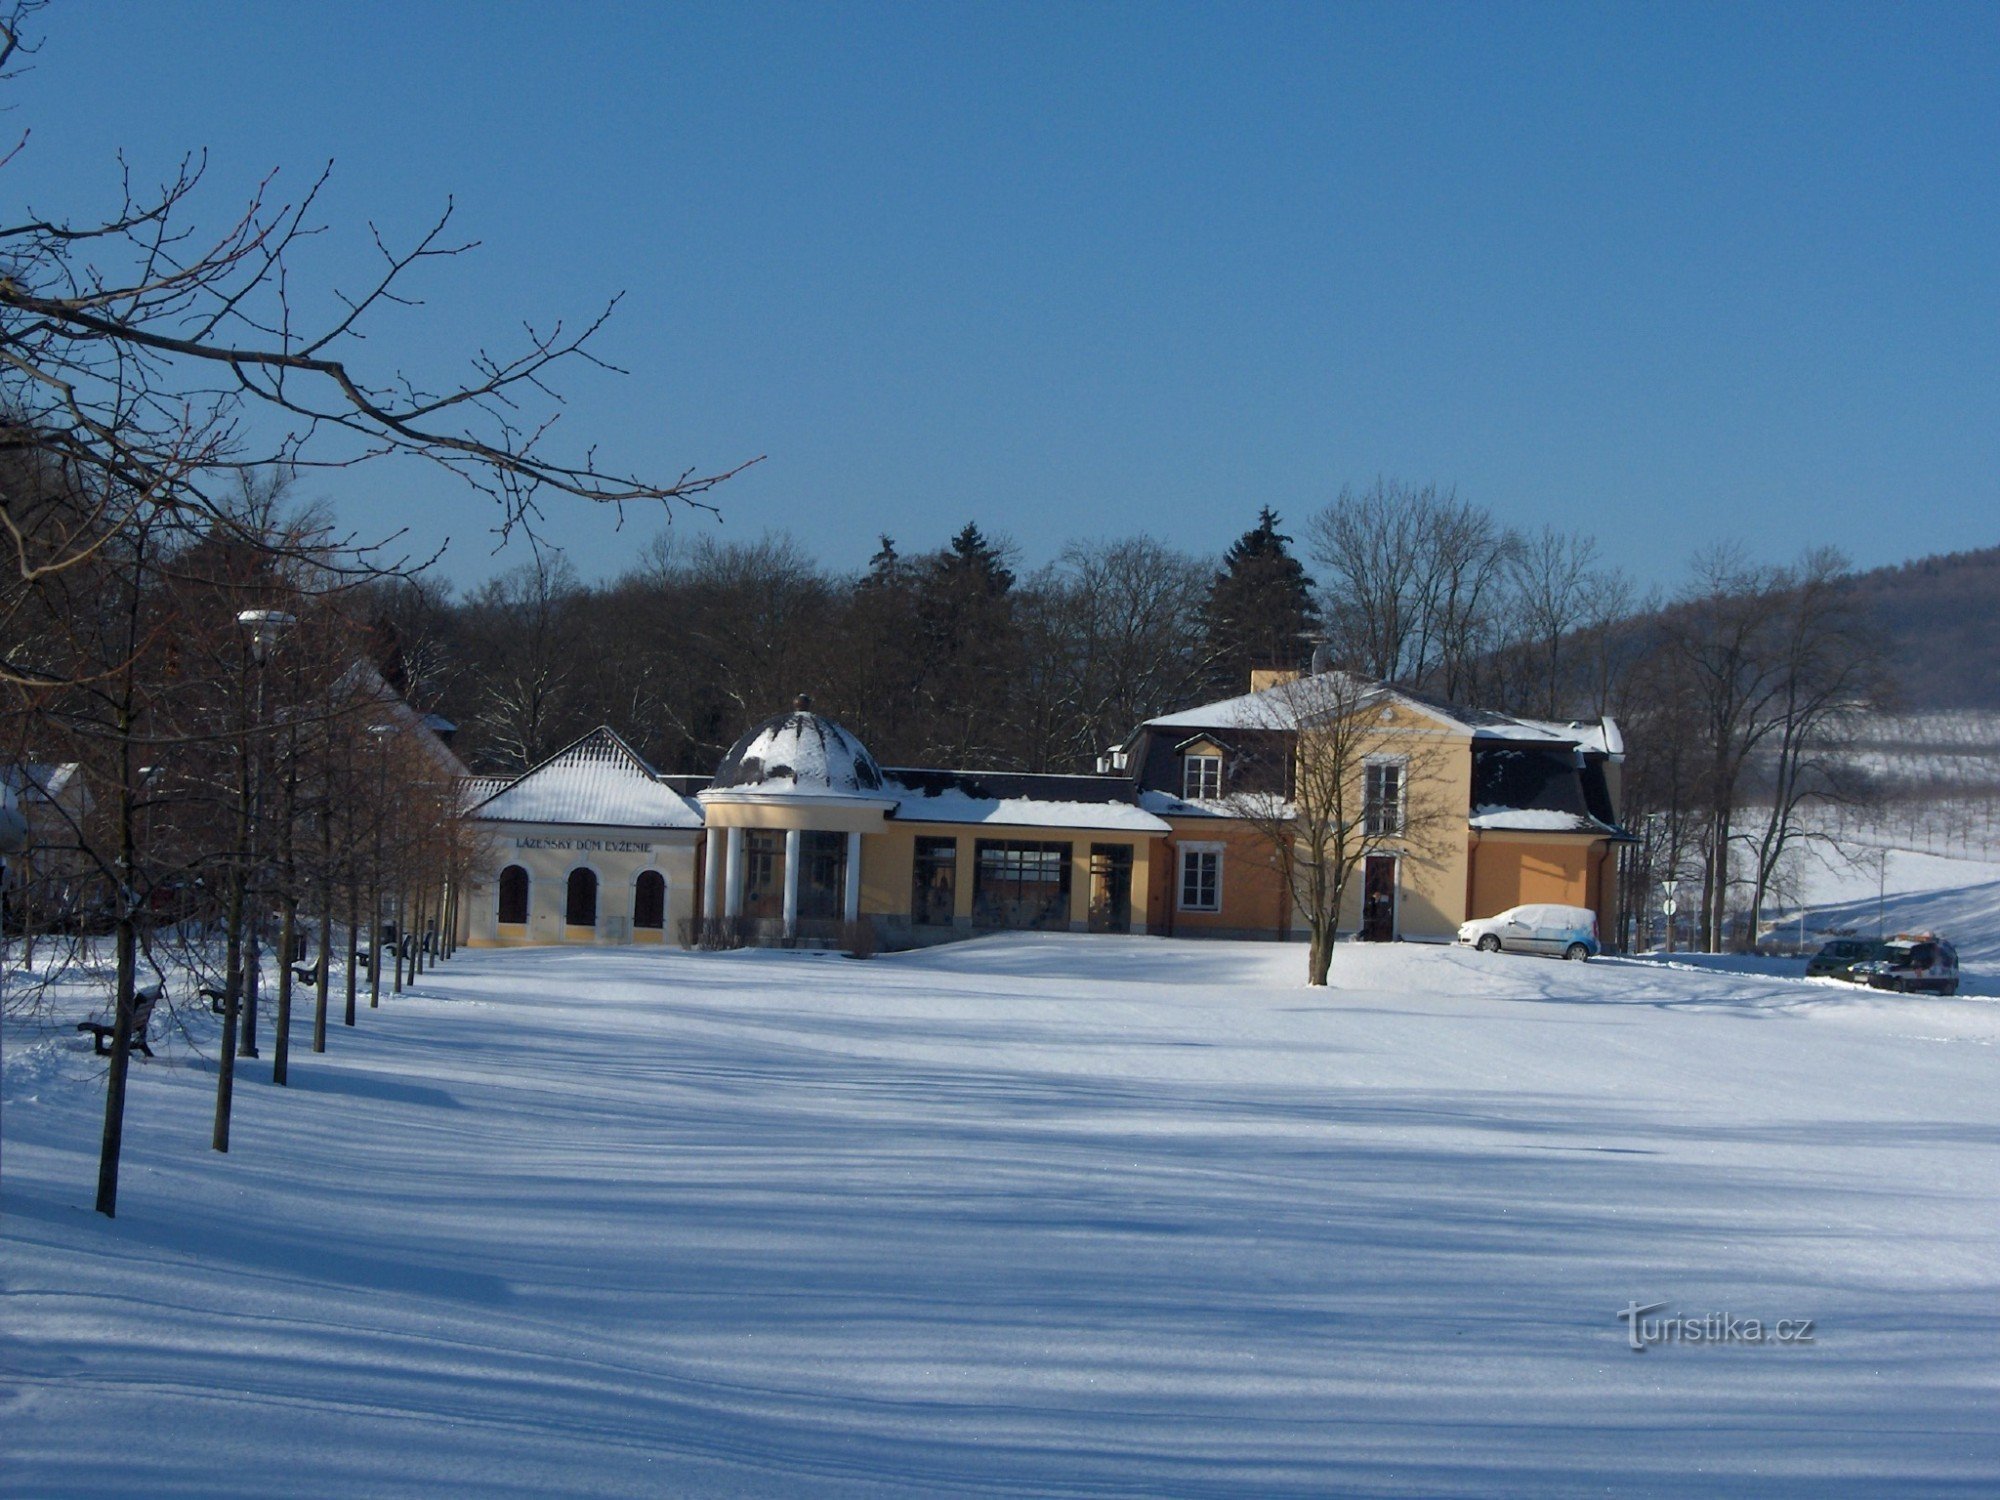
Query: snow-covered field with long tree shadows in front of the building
(1025, 1217)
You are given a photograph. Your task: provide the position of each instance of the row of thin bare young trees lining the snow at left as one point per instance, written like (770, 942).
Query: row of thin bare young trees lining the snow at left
(245, 785)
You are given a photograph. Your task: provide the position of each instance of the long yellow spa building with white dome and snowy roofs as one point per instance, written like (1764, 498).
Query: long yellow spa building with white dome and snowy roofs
(801, 837)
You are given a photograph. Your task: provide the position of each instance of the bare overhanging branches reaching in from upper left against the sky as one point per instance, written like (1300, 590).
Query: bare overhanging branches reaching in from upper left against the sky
(153, 361)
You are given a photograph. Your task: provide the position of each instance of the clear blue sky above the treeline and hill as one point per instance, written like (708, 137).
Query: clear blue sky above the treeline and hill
(1665, 275)
